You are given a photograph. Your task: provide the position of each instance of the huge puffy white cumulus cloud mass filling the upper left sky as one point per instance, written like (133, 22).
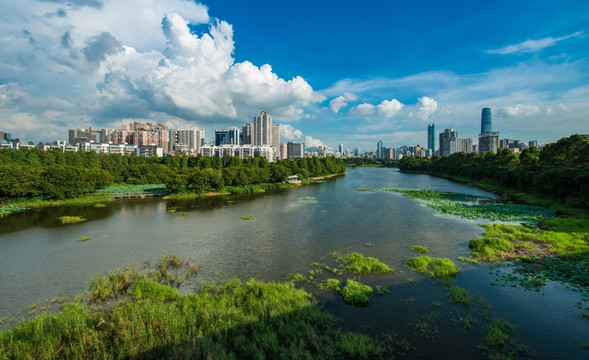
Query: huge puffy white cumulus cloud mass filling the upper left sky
(136, 59)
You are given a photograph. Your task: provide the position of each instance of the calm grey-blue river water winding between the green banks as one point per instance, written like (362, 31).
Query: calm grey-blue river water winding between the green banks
(40, 259)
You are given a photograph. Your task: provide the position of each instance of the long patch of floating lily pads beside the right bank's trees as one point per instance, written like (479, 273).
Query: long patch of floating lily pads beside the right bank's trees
(471, 207)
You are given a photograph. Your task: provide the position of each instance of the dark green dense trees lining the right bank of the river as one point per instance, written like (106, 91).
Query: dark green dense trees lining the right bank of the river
(560, 171)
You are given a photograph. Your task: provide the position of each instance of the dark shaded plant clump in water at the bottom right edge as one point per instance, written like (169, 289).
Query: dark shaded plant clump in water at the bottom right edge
(500, 342)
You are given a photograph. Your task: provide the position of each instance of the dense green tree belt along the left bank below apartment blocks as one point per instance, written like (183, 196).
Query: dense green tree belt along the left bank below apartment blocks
(33, 173)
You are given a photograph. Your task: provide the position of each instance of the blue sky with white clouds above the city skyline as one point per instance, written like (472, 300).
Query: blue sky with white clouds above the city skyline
(328, 72)
